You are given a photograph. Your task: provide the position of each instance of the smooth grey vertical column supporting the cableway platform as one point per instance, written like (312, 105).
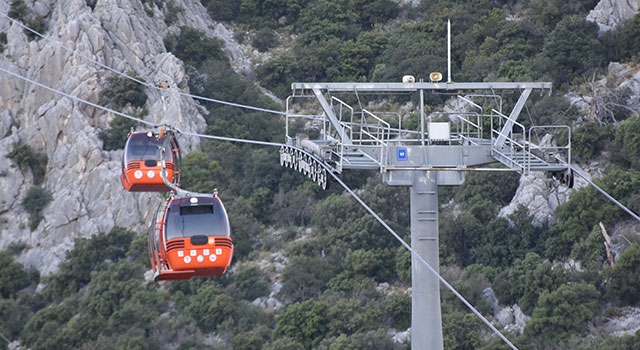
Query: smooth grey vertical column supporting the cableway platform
(426, 319)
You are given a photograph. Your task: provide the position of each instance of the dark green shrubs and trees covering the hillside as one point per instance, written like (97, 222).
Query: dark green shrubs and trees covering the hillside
(312, 269)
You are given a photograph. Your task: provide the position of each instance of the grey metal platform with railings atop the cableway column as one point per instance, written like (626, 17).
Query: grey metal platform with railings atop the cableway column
(468, 138)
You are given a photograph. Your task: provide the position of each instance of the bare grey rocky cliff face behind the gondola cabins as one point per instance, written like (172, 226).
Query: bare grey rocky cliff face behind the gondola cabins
(83, 178)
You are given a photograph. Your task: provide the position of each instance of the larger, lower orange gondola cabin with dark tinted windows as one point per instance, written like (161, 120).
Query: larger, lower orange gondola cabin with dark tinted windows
(190, 237)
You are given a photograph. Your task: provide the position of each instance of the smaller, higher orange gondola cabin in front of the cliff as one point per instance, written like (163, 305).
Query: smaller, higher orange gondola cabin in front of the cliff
(141, 163)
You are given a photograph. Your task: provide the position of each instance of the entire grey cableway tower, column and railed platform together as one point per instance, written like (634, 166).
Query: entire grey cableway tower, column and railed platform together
(474, 132)
